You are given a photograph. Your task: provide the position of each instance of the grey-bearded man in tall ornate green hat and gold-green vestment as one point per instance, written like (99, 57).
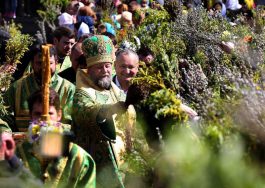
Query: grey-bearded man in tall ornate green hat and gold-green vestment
(98, 100)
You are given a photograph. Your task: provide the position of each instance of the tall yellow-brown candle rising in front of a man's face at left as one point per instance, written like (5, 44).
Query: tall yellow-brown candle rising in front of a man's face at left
(46, 77)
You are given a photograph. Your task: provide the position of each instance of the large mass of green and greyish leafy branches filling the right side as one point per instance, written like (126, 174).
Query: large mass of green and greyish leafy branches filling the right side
(225, 87)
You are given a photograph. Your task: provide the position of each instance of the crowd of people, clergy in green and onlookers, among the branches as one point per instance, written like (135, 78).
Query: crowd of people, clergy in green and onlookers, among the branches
(90, 77)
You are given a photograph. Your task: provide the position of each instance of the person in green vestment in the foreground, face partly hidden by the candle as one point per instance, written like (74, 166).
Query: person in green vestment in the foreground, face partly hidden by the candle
(73, 168)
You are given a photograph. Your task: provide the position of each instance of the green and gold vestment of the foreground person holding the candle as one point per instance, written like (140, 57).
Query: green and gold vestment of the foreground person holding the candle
(76, 169)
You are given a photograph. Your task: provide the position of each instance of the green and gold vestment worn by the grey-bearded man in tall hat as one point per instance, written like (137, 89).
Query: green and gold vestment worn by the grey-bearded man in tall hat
(88, 100)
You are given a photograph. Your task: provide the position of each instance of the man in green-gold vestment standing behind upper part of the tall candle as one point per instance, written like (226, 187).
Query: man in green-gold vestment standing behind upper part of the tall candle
(16, 96)
